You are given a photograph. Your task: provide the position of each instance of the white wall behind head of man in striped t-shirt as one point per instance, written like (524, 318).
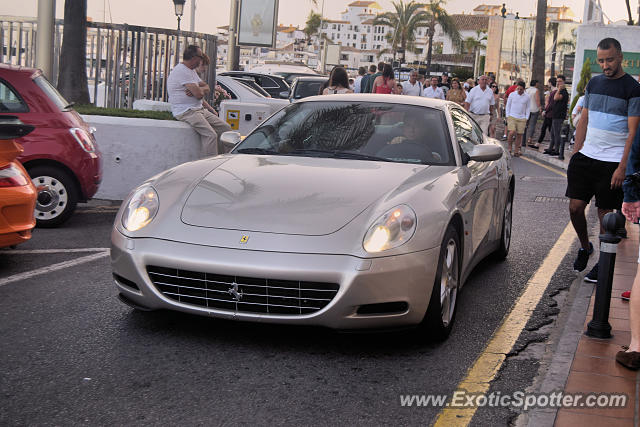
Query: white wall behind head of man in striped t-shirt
(589, 35)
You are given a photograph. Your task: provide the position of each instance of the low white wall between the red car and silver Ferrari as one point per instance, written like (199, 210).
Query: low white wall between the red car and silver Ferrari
(136, 149)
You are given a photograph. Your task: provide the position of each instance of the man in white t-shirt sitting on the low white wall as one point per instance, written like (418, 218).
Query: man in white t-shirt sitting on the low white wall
(186, 92)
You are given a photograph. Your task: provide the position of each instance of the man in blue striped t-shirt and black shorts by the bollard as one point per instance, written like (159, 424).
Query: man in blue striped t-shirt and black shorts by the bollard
(604, 136)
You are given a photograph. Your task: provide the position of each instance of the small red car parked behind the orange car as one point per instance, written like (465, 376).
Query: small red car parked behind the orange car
(61, 154)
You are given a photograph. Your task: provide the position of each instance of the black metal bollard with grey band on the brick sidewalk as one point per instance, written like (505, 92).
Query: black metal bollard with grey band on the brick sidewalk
(599, 326)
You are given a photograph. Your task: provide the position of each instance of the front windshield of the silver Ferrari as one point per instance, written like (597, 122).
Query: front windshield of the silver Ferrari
(354, 130)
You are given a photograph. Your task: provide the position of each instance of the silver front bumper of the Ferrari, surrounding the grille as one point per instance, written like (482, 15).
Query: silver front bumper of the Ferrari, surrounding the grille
(404, 278)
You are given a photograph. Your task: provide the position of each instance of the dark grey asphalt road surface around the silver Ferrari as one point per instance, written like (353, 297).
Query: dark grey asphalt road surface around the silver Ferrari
(73, 354)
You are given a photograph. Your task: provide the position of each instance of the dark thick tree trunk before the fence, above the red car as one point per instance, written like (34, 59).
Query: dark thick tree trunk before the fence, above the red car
(72, 78)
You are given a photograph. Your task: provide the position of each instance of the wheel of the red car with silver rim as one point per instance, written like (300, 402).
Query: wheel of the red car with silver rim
(57, 195)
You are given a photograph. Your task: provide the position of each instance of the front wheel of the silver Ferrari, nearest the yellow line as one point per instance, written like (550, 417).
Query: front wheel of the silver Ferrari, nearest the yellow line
(444, 297)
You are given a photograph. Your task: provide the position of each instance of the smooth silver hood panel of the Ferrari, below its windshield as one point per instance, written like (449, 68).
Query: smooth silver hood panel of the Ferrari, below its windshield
(290, 195)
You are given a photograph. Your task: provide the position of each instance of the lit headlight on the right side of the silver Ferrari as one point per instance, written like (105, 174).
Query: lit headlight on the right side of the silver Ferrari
(391, 230)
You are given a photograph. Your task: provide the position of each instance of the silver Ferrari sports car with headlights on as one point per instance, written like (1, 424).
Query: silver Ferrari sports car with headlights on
(344, 211)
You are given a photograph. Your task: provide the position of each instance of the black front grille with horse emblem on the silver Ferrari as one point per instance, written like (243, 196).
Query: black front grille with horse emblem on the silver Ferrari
(242, 294)
